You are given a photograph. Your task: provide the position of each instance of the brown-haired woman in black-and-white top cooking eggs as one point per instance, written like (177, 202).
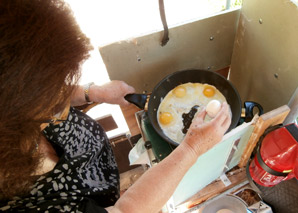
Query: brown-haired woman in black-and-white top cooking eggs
(54, 157)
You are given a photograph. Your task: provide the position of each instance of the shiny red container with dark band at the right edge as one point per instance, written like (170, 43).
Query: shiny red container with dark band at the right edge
(277, 158)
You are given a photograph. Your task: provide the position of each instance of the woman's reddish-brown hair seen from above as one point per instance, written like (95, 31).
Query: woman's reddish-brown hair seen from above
(41, 51)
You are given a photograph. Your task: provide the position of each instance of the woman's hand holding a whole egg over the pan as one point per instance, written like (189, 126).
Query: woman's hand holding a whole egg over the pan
(202, 136)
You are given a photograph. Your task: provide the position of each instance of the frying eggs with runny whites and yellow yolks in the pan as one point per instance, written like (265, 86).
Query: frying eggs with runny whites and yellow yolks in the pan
(180, 100)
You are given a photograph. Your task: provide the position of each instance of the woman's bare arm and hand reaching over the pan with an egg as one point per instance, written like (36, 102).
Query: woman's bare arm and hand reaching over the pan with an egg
(155, 187)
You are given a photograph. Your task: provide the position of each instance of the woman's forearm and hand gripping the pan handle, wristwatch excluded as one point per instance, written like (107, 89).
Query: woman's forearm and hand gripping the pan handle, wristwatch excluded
(112, 92)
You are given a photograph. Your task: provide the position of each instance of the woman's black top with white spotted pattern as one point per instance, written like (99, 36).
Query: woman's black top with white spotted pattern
(85, 179)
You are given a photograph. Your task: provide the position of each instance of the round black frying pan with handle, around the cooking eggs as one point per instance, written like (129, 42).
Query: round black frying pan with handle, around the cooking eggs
(186, 76)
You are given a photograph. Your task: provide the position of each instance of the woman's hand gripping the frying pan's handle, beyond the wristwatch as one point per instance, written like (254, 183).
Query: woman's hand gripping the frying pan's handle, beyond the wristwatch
(112, 92)
